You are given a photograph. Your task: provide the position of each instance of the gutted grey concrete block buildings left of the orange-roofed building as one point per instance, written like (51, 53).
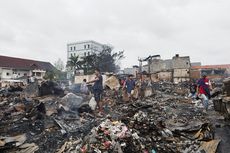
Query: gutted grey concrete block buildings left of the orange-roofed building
(175, 69)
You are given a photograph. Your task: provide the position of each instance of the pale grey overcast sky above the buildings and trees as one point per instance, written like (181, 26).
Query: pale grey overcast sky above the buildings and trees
(40, 29)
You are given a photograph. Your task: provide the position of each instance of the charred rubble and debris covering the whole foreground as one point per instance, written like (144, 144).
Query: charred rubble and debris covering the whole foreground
(41, 119)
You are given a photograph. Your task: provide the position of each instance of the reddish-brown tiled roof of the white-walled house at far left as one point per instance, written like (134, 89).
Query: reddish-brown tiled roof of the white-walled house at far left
(26, 64)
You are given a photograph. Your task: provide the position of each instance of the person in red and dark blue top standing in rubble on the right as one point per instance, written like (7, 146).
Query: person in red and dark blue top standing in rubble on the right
(204, 87)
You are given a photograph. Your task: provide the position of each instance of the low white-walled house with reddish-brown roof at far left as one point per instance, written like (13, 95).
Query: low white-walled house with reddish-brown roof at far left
(14, 68)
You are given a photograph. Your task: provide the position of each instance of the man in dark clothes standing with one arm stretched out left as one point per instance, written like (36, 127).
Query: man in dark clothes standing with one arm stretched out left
(98, 89)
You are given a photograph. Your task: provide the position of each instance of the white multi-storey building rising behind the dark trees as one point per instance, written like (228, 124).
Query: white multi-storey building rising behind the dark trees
(83, 48)
